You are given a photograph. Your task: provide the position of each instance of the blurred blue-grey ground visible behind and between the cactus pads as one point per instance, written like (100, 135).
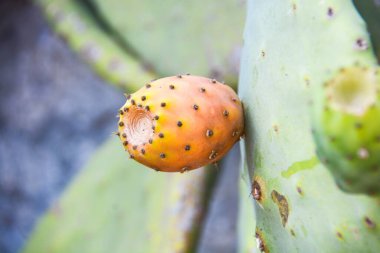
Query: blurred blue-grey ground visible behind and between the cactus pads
(54, 112)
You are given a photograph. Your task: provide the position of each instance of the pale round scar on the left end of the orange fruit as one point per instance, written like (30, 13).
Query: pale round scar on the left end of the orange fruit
(137, 126)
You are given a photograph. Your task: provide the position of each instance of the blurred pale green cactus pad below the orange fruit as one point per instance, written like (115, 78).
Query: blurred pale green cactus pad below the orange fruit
(117, 205)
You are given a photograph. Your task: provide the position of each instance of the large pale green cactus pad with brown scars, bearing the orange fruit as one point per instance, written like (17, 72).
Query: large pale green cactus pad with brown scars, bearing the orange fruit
(291, 48)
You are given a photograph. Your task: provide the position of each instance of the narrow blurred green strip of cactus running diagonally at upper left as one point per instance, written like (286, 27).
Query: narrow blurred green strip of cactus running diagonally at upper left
(75, 25)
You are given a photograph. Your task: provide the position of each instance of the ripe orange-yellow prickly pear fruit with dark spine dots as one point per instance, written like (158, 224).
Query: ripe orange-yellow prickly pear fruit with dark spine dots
(180, 123)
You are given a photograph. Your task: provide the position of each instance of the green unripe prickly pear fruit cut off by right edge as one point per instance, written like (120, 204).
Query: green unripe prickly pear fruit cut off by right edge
(347, 129)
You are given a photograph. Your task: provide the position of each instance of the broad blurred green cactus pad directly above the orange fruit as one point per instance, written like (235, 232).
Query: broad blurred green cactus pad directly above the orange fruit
(200, 37)
